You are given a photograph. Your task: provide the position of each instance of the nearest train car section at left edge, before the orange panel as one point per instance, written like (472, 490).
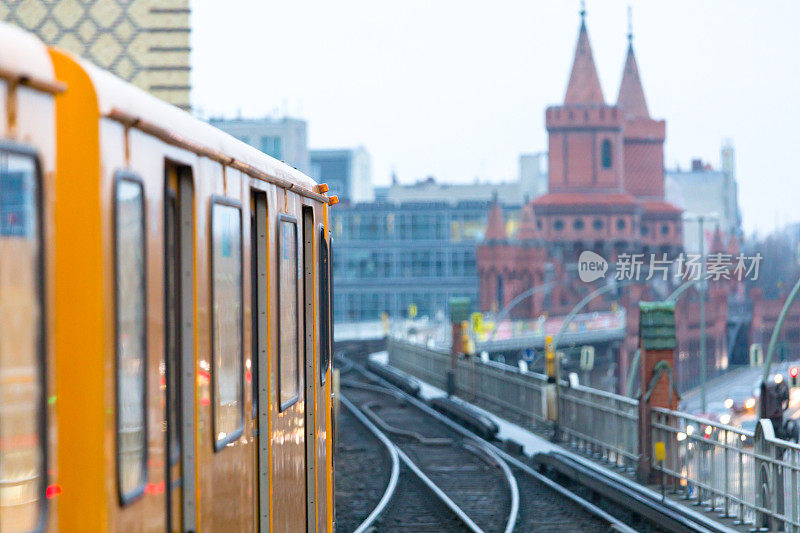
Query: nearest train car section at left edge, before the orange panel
(27, 390)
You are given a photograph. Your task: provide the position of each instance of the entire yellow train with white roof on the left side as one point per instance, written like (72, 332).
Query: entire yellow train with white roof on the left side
(164, 315)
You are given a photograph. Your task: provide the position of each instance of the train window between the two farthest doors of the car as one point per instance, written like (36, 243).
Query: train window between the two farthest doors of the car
(288, 295)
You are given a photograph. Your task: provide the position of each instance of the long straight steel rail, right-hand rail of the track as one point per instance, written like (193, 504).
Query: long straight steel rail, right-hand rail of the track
(586, 505)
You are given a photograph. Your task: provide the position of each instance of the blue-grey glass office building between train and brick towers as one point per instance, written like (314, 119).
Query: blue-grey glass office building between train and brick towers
(387, 256)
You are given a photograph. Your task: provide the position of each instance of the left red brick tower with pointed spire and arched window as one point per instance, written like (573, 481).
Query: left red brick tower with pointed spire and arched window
(587, 206)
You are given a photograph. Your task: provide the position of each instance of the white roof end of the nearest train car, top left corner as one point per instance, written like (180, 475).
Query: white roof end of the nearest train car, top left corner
(23, 55)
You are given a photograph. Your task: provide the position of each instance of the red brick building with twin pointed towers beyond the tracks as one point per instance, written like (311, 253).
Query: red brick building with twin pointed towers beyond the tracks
(606, 195)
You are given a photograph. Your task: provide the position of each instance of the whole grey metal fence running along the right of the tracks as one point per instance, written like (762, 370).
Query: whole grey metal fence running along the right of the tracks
(753, 478)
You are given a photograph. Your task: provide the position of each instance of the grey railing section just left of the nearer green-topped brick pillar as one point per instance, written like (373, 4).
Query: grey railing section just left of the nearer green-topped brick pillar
(600, 424)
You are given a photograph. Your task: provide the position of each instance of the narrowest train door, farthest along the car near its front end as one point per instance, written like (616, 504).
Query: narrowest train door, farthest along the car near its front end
(308, 352)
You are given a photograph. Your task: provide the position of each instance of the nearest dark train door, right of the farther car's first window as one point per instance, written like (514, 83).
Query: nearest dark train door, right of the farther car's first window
(179, 371)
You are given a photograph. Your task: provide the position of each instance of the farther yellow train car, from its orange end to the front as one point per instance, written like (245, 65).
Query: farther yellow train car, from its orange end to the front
(112, 314)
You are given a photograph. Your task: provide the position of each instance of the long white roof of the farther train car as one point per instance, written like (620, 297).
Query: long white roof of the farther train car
(115, 96)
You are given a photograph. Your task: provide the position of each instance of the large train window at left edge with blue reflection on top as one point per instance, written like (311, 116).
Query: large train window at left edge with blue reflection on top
(22, 422)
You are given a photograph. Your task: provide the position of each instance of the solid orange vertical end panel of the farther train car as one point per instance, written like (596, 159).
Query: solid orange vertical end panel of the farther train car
(80, 332)
